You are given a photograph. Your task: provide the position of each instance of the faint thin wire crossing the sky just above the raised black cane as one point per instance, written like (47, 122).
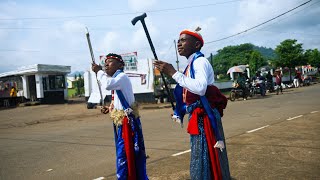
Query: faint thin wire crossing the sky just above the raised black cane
(118, 14)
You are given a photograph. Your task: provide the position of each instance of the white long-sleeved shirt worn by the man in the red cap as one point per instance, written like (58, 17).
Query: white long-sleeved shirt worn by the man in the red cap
(203, 74)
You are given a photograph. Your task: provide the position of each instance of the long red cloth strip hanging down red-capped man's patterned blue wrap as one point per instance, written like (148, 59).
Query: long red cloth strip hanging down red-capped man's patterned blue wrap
(213, 152)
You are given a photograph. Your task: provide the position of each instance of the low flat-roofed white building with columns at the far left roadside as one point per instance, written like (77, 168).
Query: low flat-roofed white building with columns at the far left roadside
(39, 82)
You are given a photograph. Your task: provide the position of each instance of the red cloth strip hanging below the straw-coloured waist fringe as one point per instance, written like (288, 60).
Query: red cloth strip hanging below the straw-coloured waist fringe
(127, 136)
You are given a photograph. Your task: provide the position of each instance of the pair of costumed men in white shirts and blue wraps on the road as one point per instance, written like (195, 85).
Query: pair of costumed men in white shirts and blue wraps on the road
(195, 95)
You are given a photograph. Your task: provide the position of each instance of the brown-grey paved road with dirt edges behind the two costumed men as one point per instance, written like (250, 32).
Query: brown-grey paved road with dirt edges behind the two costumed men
(70, 142)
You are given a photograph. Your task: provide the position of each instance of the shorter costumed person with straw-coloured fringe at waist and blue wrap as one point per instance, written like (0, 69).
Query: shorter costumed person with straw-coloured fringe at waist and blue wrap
(130, 149)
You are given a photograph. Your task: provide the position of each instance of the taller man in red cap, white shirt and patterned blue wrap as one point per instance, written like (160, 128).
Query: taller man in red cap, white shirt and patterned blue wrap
(196, 94)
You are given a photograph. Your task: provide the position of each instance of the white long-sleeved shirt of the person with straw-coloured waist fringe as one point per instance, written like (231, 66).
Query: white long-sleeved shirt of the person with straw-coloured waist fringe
(120, 82)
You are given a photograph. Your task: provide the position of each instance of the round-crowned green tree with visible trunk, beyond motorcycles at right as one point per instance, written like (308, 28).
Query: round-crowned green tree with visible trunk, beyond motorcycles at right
(289, 54)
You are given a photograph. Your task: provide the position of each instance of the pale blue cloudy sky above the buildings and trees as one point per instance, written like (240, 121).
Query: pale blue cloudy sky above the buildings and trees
(53, 32)
